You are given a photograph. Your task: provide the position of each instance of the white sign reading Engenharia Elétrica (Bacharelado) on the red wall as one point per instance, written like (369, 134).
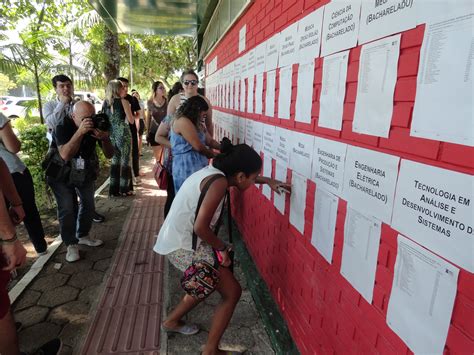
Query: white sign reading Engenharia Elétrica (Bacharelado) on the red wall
(369, 181)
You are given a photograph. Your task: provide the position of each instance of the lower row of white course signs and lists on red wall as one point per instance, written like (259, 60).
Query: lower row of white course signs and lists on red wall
(430, 205)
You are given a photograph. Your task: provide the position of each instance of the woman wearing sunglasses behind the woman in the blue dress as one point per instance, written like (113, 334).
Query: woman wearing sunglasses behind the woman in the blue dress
(190, 82)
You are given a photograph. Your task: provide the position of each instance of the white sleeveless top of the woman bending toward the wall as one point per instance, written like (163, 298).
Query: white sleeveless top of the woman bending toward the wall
(177, 229)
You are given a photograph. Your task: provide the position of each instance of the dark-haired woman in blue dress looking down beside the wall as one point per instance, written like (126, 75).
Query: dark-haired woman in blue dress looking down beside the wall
(191, 146)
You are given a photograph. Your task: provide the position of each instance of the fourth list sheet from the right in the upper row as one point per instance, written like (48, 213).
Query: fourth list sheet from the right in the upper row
(304, 92)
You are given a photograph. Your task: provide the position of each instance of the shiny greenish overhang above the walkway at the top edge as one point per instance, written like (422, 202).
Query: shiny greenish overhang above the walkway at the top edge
(155, 17)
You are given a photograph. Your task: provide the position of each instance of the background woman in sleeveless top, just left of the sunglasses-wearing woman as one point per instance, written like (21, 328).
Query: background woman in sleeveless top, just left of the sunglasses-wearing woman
(157, 107)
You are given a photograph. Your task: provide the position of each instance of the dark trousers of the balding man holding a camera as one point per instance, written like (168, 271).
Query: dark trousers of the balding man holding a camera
(74, 221)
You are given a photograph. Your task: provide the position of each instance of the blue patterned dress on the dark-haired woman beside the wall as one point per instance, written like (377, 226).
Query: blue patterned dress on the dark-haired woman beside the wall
(186, 161)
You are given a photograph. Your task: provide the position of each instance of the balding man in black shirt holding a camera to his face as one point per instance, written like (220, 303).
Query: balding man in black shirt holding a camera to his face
(75, 138)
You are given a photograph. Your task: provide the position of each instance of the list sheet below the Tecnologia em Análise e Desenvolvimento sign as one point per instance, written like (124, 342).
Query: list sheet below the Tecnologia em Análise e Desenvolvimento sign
(422, 299)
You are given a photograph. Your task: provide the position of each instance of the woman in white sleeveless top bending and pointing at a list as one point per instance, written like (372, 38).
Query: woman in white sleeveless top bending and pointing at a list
(237, 166)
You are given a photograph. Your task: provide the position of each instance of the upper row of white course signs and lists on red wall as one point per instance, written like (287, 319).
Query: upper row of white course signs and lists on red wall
(443, 107)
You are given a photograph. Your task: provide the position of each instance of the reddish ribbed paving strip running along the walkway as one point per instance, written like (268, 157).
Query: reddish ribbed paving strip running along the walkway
(127, 318)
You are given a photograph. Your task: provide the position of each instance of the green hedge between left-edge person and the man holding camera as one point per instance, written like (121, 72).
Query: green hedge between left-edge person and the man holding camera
(34, 147)
